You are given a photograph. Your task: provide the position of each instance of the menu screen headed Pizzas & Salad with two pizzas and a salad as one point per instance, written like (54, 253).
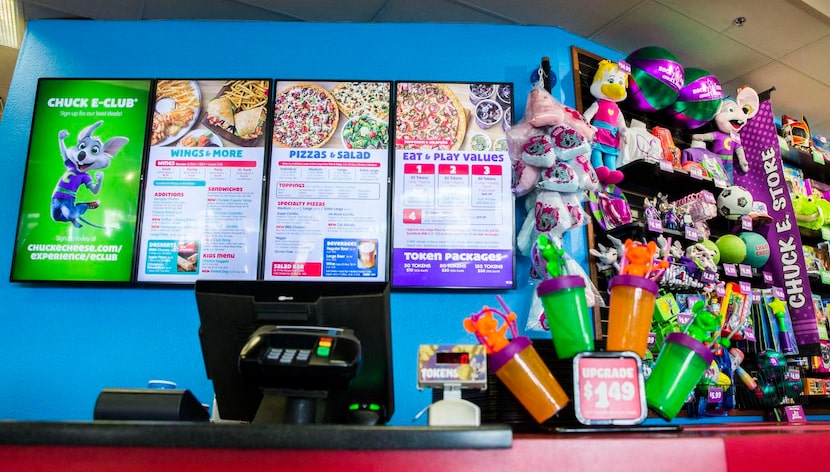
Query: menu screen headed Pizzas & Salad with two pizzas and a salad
(328, 191)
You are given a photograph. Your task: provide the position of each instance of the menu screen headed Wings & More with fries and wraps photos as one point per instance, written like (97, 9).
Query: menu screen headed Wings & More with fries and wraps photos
(203, 184)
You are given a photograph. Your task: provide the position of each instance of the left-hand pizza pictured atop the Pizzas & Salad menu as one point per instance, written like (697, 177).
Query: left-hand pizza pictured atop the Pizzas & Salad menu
(305, 116)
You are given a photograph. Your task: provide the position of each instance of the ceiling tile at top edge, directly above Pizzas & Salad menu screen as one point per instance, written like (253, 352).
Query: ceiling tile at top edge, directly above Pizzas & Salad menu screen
(323, 10)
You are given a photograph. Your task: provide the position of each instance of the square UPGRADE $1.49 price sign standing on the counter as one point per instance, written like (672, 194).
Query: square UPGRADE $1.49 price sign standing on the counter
(609, 388)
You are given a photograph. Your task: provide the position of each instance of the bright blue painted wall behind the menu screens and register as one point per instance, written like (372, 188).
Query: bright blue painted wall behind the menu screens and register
(59, 346)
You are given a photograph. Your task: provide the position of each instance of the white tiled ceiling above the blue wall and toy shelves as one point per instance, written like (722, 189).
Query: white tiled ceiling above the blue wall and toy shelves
(783, 43)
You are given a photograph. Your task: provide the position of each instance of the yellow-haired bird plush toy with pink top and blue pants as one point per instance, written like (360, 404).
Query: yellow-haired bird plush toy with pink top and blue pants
(609, 87)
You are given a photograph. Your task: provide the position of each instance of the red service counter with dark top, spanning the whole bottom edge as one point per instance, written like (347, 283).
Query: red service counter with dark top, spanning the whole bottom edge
(208, 447)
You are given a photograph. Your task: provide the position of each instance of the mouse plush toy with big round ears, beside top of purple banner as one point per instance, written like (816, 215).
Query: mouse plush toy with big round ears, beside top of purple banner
(730, 119)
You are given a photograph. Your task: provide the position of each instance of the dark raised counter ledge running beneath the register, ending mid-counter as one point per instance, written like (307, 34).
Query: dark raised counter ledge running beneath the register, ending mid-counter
(247, 436)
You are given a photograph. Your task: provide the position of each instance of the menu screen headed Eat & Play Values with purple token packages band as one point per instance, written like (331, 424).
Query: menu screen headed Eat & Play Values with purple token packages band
(453, 208)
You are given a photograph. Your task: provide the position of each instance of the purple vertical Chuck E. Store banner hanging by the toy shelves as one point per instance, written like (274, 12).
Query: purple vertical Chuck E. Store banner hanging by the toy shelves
(765, 181)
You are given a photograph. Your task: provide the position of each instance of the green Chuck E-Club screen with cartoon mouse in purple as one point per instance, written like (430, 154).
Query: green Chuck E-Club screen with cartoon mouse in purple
(79, 206)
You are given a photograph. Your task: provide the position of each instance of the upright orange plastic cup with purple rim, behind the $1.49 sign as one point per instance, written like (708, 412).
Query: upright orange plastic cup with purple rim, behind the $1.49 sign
(630, 313)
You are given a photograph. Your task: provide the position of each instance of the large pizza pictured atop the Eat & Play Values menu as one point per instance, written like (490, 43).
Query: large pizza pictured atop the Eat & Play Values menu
(429, 116)
